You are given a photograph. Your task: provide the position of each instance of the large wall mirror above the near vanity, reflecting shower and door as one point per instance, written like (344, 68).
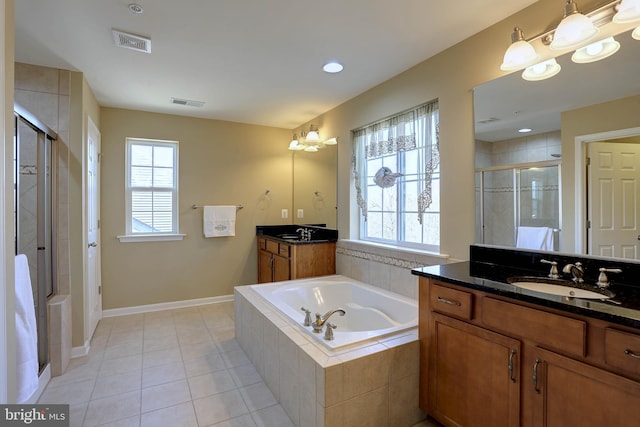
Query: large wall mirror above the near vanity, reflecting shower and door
(535, 190)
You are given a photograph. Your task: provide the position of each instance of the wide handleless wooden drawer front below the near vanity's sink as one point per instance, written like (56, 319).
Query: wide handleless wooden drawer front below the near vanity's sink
(551, 330)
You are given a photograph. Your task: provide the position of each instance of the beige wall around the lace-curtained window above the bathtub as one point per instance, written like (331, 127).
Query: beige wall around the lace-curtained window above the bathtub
(450, 77)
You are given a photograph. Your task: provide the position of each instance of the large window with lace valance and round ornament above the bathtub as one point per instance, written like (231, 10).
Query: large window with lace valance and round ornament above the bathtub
(396, 165)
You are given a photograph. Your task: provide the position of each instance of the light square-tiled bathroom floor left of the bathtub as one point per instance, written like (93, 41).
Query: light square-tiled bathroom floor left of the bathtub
(172, 368)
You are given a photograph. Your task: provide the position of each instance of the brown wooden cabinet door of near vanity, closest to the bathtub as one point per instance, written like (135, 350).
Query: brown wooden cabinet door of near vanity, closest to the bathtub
(474, 375)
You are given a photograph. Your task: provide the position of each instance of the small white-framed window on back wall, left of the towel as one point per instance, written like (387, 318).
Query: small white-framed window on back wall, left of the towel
(152, 187)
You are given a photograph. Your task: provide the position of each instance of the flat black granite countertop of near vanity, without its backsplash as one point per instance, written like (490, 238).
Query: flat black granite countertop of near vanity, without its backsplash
(623, 308)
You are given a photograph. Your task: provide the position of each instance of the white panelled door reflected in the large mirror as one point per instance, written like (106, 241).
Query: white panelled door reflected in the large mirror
(614, 199)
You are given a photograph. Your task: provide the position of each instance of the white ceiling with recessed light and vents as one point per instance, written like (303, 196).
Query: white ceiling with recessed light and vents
(254, 61)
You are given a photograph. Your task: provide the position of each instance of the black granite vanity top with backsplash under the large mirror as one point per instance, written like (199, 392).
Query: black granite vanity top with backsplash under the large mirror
(483, 273)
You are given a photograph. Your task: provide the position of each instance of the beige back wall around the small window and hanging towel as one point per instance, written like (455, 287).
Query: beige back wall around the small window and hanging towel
(221, 163)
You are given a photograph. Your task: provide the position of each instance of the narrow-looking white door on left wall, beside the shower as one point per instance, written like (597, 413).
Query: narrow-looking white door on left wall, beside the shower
(94, 282)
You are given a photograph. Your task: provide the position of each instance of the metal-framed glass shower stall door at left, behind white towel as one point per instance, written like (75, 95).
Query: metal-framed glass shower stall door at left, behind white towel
(34, 195)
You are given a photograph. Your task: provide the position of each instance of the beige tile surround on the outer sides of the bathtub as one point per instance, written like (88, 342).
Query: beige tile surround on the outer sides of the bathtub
(375, 383)
